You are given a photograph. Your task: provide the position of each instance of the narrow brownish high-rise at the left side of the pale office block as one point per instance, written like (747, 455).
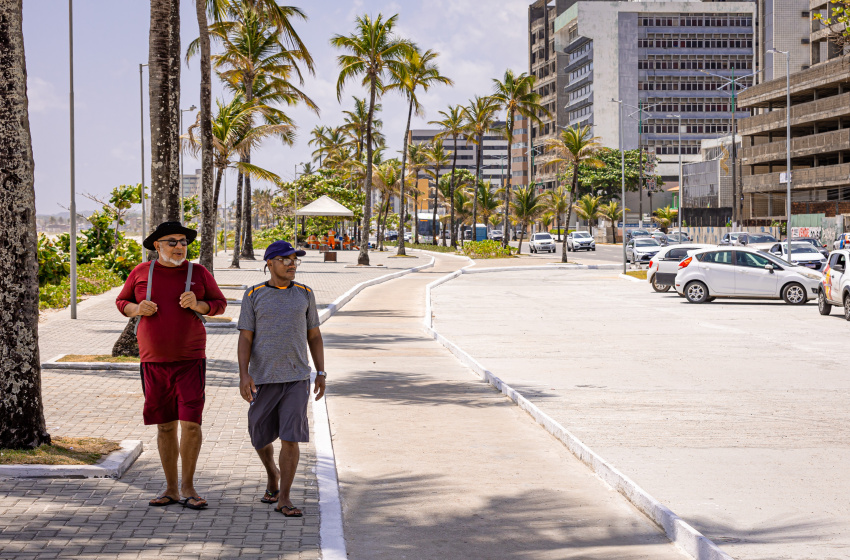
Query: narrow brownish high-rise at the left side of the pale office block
(548, 64)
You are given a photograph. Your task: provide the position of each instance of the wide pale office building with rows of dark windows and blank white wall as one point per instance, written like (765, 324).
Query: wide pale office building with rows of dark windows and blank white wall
(661, 55)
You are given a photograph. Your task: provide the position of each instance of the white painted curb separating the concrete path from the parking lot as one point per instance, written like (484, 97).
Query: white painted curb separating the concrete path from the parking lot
(691, 541)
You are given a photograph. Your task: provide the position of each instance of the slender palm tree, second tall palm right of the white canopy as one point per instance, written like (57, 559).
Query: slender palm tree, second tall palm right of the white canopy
(418, 70)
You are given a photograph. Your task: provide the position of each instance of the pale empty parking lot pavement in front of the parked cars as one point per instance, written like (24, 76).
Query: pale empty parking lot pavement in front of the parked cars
(733, 413)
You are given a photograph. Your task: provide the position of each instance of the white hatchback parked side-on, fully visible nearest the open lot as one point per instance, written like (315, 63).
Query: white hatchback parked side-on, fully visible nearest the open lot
(744, 273)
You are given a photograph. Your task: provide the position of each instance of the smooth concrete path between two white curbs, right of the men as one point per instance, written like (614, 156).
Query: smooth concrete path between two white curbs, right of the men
(433, 463)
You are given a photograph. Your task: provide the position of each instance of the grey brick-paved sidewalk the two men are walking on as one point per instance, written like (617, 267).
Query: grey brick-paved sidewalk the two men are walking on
(107, 519)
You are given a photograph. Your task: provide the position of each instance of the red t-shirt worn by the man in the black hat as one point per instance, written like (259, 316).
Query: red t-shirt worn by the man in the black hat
(173, 333)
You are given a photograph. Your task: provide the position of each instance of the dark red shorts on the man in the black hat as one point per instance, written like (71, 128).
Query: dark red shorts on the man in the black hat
(173, 391)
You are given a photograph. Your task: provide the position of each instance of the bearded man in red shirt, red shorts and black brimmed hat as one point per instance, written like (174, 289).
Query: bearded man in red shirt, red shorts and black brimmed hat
(172, 343)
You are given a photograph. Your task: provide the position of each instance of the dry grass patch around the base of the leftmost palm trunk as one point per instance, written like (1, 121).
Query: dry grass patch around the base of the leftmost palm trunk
(62, 451)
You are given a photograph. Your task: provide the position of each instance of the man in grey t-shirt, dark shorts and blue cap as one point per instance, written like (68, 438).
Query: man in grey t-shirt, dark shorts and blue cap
(277, 323)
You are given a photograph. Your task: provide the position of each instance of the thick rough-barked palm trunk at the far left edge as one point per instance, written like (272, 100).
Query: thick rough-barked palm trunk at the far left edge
(21, 408)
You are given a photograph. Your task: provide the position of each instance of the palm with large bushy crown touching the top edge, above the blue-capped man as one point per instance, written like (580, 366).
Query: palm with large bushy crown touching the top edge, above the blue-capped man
(260, 57)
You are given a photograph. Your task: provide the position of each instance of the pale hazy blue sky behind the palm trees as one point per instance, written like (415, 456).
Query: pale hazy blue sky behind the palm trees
(477, 41)
